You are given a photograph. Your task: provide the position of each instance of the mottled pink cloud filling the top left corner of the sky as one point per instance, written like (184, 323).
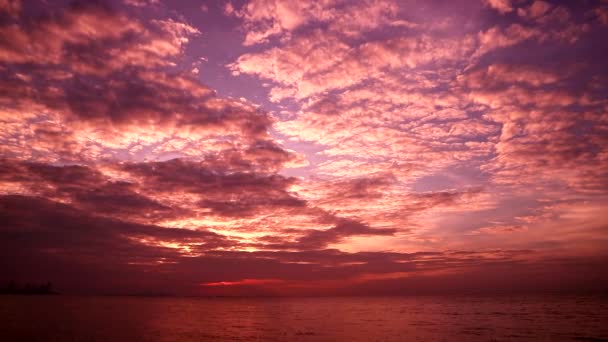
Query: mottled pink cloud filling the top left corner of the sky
(94, 39)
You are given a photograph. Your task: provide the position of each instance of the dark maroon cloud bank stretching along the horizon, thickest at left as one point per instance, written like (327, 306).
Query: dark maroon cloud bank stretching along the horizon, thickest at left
(86, 254)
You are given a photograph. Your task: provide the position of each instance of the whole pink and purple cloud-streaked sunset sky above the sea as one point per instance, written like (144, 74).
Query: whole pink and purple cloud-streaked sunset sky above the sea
(291, 147)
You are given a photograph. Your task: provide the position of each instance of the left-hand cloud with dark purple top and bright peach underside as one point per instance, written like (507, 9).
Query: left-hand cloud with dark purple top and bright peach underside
(113, 112)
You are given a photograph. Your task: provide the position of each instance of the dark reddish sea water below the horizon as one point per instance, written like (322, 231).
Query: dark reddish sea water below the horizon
(537, 318)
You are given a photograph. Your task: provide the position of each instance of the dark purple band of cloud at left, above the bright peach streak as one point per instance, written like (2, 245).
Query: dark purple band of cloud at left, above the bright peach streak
(129, 98)
